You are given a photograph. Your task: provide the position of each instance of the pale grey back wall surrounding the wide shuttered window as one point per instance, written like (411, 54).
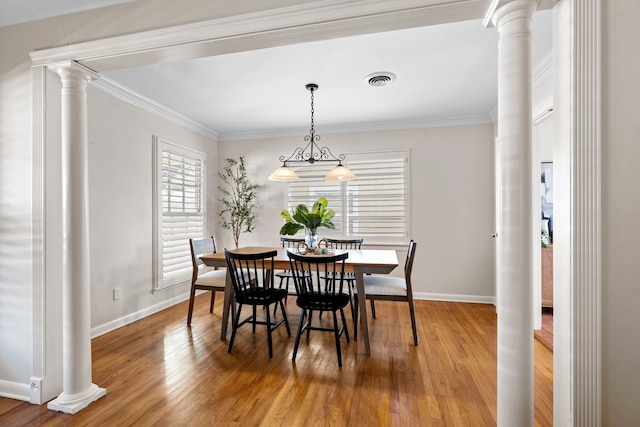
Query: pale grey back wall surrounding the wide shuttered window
(451, 201)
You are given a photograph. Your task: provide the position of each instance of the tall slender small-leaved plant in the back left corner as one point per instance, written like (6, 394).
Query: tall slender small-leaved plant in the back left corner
(238, 198)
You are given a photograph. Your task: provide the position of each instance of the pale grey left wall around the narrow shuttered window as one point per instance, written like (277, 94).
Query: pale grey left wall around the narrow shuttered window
(121, 209)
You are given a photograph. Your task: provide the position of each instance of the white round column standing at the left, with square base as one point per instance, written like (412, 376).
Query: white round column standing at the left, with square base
(78, 390)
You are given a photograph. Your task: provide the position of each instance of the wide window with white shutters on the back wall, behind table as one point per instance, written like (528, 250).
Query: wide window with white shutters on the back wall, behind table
(375, 206)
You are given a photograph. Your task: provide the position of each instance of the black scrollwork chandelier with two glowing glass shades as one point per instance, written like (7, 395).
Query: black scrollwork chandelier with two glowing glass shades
(310, 154)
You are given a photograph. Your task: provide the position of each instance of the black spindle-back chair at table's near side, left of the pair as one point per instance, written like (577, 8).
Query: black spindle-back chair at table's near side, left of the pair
(252, 279)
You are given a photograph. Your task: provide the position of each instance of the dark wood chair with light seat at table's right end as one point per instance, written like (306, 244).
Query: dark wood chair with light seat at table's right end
(388, 288)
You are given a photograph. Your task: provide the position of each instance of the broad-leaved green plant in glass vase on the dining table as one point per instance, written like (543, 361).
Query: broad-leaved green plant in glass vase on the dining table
(309, 219)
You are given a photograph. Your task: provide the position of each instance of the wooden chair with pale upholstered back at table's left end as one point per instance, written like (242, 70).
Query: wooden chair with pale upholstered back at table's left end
(201, 279)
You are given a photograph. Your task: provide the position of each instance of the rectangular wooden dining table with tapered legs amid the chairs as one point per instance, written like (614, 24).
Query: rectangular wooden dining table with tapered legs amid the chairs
(359, 262)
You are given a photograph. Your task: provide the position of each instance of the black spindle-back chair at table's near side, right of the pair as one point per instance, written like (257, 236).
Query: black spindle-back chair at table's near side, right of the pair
(314, 294)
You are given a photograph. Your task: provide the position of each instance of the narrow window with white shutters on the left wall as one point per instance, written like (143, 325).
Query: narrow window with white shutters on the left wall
(179, 206)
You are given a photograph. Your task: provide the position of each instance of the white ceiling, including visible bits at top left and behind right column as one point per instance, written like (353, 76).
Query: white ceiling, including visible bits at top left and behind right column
(446, 74)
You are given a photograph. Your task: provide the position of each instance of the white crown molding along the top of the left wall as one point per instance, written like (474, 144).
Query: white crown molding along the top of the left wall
(134, 98)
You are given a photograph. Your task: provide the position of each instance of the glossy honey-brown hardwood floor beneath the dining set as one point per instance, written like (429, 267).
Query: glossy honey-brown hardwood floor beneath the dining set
(157, 371)
